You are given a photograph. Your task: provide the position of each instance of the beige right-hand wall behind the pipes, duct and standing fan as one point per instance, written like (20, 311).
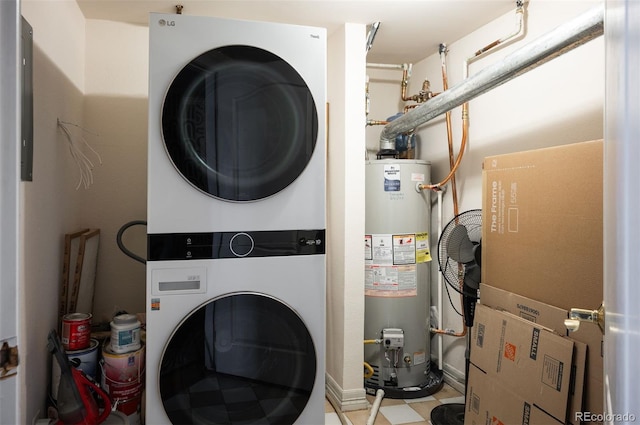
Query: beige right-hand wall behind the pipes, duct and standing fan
(557, 103)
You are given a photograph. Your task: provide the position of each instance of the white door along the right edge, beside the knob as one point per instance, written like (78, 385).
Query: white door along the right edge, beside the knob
(621, 211)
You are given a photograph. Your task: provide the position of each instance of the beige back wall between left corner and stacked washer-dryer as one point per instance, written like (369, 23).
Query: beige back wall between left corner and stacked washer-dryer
(116, 109)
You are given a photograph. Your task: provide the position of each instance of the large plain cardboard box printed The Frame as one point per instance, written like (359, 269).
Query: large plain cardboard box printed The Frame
(542, 224)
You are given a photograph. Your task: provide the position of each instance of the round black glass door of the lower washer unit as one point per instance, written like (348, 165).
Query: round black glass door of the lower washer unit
(240, 359)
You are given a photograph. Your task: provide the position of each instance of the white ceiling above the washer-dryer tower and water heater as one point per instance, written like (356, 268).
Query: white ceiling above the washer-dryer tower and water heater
(409, 30)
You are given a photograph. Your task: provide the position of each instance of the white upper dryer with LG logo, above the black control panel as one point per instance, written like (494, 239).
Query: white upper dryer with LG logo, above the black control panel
(236, 117)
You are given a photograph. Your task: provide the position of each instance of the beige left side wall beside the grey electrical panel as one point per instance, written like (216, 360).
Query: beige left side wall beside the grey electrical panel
(50, 204)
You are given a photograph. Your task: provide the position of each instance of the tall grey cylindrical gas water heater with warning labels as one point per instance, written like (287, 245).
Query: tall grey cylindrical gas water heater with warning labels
(397, 279)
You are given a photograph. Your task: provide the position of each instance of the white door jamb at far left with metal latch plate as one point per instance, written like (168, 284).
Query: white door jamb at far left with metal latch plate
(9, 172)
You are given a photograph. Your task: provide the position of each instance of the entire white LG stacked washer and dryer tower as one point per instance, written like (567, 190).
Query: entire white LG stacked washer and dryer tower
(236, 222)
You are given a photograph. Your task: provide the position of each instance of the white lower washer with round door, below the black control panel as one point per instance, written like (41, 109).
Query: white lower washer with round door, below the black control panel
(236, 341)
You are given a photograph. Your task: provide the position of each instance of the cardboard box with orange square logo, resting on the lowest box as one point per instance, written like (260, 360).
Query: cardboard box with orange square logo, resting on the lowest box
(527, 359)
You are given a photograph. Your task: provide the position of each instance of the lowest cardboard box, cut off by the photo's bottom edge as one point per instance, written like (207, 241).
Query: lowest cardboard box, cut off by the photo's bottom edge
(488, 402)
